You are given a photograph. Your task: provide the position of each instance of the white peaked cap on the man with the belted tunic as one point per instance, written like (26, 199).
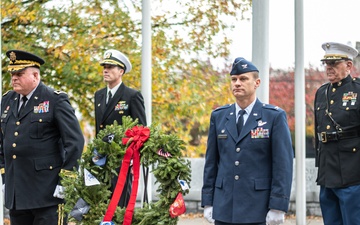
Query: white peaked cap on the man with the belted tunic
(336, 51)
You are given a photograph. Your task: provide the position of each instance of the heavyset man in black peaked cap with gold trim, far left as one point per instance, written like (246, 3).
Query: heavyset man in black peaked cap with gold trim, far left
(36, 143)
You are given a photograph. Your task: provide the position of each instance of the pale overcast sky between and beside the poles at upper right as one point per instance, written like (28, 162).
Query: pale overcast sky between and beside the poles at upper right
(324, 21)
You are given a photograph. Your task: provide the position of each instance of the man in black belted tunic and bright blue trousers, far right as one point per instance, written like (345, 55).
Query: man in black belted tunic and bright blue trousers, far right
(337, 126)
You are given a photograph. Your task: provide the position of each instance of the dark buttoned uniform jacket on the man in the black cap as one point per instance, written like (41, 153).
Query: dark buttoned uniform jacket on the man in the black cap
(36, 146)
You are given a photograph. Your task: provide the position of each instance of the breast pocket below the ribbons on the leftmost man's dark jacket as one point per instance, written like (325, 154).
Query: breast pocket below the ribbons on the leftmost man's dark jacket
(40, 124)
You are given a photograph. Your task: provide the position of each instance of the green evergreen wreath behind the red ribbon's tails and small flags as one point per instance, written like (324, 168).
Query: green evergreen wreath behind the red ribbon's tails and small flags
(161, 152)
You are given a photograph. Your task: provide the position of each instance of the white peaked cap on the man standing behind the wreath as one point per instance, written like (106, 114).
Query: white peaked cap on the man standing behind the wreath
(116, 58)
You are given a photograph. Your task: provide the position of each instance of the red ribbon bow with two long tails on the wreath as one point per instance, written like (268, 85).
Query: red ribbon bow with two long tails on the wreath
(138, 135)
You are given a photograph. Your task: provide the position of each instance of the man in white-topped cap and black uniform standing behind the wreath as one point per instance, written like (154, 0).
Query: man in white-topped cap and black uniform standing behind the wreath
(124, 101)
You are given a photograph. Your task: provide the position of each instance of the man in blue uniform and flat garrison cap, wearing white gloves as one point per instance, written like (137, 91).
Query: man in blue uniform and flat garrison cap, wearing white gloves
(249, 157)
